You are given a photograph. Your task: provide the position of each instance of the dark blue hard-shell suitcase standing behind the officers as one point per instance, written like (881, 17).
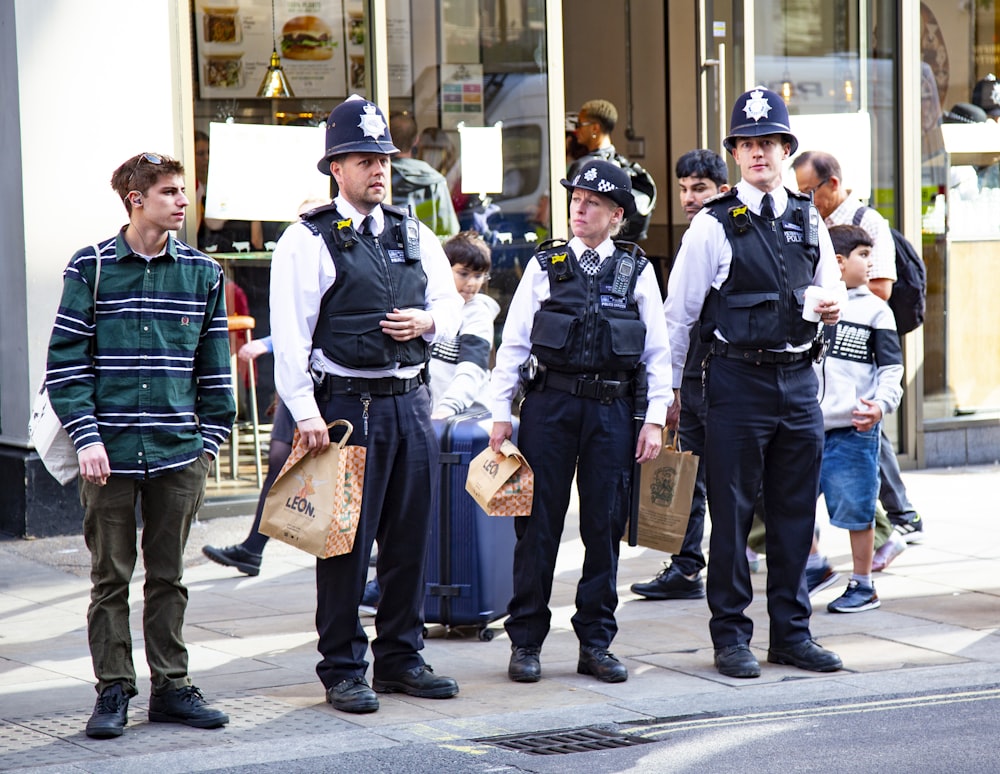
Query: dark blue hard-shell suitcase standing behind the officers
(470, 556)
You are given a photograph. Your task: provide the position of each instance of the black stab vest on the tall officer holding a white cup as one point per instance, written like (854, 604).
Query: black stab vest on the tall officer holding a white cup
(759, 306)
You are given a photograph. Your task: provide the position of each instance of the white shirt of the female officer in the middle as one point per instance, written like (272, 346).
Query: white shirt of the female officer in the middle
(533, 289)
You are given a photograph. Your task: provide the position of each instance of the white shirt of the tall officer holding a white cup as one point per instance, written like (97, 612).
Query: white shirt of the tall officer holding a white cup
(703, 263)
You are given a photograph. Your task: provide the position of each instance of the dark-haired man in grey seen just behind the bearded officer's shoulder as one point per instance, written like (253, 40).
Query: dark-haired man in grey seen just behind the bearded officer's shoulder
(417, 183)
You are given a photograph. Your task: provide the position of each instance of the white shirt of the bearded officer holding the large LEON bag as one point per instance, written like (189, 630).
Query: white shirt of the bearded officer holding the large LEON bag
(302, 270)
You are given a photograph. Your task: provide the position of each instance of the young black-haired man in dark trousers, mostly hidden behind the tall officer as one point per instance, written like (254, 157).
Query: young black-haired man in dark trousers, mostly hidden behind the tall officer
(701, 174)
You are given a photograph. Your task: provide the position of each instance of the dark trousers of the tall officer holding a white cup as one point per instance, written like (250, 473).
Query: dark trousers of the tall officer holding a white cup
(765, 427)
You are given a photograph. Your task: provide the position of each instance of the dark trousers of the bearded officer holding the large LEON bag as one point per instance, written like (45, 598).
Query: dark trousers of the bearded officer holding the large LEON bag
(400, 478)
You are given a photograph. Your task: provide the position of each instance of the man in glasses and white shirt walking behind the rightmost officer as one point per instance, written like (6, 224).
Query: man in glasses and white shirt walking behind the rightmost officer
(819, 174)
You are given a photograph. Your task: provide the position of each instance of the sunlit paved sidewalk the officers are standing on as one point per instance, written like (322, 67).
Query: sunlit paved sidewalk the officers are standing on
(252, 643)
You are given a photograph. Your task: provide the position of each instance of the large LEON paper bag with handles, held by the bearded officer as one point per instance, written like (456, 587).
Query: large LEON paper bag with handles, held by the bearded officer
(315, 502)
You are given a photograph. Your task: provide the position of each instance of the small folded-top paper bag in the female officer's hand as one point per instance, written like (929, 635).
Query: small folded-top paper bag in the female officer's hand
(503, 484)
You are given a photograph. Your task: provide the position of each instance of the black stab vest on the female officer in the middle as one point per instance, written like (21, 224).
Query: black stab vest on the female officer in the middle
(584, 327)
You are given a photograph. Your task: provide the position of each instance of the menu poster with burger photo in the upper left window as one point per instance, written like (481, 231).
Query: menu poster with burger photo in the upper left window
(234, 44)
